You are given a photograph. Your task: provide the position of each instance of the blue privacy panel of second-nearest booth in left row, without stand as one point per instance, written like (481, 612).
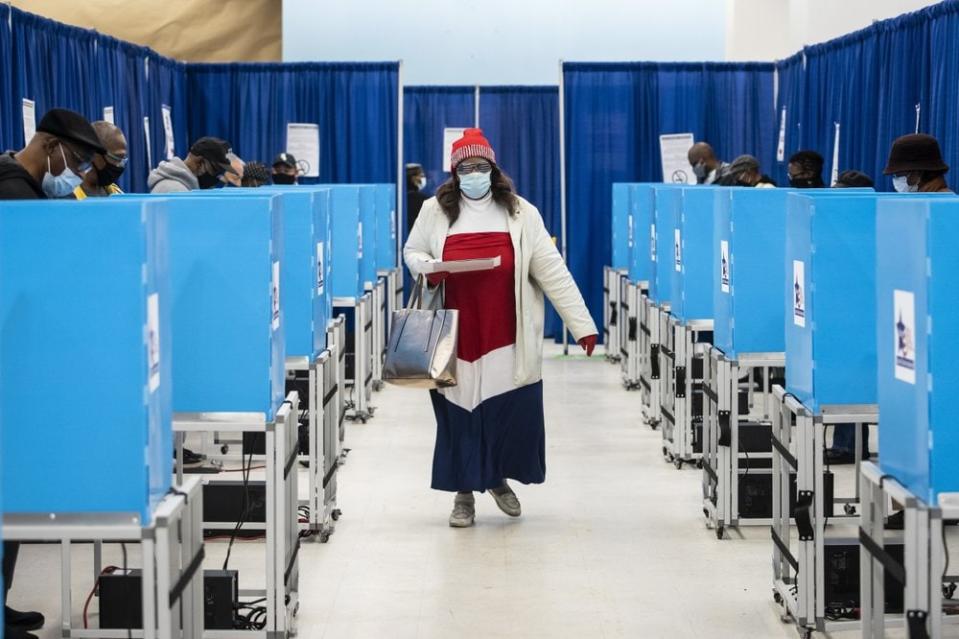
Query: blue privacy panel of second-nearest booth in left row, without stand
(226, 258)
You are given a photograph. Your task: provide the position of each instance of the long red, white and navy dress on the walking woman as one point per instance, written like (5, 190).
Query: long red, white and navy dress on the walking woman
(487, 428)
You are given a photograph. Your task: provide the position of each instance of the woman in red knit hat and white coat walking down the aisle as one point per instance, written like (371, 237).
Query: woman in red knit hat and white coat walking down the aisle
(490, 427)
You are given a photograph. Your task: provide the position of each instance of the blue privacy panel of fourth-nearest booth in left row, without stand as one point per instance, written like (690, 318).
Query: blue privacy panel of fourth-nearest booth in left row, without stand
(347, 240)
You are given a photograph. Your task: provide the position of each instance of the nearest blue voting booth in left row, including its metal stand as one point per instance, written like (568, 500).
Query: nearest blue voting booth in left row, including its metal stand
(86, 322)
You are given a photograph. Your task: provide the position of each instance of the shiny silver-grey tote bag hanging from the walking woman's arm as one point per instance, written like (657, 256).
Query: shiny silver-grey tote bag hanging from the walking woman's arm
(422, 346)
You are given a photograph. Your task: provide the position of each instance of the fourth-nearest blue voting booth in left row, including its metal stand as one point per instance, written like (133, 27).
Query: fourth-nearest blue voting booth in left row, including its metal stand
(349, 297)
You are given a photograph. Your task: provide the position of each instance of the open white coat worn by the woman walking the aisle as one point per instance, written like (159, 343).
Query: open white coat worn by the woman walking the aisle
(539, 269)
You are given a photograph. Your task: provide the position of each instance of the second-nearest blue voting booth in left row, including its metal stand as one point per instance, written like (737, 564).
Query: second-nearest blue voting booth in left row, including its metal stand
(229, 373)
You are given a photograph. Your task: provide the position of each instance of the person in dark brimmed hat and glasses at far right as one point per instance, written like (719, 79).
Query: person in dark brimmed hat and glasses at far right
(916, 165)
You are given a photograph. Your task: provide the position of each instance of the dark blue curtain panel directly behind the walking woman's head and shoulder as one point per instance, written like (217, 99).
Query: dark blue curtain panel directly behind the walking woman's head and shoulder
(522, 124)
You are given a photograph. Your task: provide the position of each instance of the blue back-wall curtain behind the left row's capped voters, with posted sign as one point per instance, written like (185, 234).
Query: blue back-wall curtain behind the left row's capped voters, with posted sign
(250, 105)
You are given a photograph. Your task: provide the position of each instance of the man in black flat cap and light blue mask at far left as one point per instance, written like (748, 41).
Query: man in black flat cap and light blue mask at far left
(53, 163)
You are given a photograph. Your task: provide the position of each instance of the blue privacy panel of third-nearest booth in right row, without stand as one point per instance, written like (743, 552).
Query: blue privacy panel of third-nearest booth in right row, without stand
(750, 231)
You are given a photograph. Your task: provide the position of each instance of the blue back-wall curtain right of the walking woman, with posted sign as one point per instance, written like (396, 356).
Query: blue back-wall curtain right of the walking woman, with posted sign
(614, 116)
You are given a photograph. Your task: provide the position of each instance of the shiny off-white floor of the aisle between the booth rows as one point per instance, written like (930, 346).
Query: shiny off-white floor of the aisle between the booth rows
(613, 545)
